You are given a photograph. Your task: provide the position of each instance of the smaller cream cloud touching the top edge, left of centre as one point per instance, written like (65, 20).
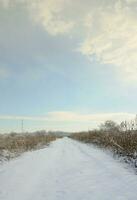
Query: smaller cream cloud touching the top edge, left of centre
(49, 13)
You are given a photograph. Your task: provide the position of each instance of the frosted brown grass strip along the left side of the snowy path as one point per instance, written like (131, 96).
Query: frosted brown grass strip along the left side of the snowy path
(12, 145)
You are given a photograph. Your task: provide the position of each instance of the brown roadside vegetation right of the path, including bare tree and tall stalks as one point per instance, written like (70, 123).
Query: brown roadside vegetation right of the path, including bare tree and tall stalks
(119, 139)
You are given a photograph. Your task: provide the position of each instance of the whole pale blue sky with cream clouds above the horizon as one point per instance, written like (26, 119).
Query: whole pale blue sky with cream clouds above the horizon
(67, 65)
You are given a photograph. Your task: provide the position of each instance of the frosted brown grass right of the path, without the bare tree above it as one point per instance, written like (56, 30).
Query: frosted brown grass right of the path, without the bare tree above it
(123, 144)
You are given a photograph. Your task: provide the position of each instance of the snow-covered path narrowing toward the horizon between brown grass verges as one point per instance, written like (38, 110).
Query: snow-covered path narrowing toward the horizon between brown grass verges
(67, 170)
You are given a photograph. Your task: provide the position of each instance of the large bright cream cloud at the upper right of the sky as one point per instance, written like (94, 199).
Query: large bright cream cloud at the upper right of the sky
(114, 40)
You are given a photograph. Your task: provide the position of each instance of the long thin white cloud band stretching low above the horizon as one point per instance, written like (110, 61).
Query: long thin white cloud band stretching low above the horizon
(64, 116)
